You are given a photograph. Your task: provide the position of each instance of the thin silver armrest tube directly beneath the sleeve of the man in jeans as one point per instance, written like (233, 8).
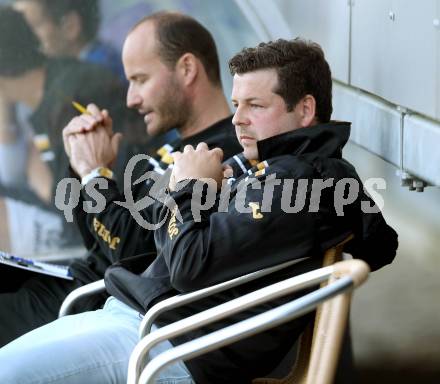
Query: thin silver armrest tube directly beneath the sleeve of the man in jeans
(182, 299)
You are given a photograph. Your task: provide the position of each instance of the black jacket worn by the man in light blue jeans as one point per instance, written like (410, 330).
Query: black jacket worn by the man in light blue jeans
(220, 246)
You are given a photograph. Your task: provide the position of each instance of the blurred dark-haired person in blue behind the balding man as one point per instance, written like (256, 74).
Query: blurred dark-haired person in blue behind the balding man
(69, 28)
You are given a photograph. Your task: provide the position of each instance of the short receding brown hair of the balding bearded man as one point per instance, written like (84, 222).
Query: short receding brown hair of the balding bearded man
(178, 34)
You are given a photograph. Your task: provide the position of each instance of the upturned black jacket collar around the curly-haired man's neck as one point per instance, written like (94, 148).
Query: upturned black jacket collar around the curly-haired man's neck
(325, 139)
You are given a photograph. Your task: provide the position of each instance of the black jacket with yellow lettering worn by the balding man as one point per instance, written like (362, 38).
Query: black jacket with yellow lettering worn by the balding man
(114, 234)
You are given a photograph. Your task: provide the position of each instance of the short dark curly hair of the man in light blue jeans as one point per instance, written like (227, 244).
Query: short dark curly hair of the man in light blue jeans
(301, 67)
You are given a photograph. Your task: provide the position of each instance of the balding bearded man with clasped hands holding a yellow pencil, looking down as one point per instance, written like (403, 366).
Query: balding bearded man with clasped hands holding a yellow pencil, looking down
(173, 71)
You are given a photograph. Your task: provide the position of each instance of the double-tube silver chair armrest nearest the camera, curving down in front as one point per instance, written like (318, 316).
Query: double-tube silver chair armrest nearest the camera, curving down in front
(357, 271)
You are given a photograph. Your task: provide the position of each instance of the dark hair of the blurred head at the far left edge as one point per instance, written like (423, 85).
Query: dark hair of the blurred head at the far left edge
(19, 47)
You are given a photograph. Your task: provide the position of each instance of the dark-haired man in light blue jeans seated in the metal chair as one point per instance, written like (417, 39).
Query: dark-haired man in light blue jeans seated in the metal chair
(292, 144)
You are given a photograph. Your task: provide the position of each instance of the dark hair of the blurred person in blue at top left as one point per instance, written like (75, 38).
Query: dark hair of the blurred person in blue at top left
(87, 10)
